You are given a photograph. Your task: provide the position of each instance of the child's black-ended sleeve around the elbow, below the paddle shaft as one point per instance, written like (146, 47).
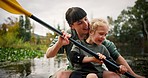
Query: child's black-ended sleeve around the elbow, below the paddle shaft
(75, 55)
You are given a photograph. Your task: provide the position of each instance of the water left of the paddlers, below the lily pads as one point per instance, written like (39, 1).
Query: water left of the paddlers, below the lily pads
(36, 68)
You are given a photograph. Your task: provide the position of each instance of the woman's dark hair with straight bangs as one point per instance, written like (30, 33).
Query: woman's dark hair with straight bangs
(74, 14)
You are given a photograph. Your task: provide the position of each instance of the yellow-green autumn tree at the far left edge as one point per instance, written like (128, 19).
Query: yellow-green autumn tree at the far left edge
(9, 33)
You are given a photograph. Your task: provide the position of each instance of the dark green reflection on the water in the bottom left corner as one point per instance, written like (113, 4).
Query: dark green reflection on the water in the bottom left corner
(15, 69)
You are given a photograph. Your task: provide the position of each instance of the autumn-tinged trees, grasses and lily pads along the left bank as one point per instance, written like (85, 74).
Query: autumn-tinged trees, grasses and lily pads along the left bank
(17, 42)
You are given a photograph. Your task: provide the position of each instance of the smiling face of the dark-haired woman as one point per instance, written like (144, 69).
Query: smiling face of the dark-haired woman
(81, 26)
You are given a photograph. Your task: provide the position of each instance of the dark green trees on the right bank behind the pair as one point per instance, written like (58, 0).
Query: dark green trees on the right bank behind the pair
(131, 26)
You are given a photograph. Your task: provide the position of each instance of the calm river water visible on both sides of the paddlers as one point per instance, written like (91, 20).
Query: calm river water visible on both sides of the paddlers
(43, 67)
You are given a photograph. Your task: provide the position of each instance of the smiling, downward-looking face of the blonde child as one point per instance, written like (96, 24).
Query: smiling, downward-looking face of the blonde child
(99, 35)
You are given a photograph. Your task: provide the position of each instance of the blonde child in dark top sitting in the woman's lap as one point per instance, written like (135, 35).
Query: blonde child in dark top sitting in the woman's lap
(87, 66)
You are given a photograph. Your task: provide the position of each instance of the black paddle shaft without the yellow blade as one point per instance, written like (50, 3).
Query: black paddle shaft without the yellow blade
(79, 45)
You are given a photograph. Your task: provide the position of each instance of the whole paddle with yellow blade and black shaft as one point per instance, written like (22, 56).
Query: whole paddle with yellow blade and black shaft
(13, 6)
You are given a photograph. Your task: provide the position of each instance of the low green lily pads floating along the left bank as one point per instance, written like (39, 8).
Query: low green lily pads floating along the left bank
(12, 54)
